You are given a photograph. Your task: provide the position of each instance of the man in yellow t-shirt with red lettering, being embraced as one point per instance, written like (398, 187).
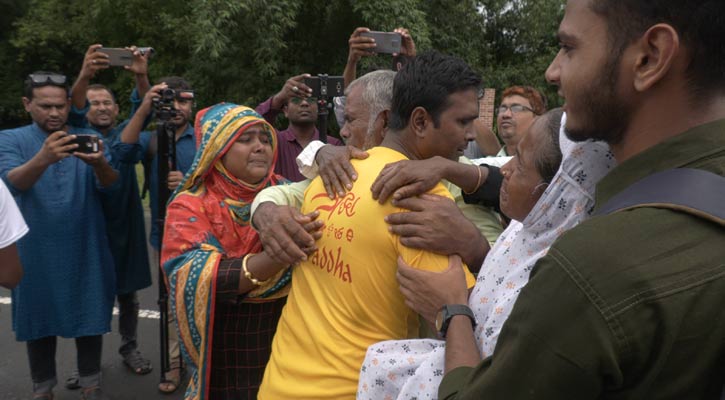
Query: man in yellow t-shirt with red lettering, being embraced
(345, 296)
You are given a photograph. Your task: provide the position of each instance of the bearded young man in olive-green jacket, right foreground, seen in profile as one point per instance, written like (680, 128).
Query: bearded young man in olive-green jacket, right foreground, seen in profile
(627, 305)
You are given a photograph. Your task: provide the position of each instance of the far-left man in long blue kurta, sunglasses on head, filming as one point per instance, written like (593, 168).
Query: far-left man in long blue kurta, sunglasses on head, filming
(69, 282)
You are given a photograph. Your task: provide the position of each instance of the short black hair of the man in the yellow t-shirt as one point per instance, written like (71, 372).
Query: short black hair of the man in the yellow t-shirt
(427, 81)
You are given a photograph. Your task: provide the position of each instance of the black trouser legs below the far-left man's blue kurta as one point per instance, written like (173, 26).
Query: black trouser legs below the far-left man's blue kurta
(41, 353)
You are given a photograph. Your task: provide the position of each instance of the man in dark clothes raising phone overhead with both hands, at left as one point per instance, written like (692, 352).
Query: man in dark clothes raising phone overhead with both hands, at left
(95, 107)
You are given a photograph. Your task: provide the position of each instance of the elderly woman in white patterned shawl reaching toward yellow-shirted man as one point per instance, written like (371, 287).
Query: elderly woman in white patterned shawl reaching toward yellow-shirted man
(542, 206)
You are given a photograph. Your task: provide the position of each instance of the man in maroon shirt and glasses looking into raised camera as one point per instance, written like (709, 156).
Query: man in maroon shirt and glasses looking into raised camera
(296, 102)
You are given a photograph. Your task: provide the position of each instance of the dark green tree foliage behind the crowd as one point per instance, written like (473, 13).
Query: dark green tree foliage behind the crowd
(244, 50)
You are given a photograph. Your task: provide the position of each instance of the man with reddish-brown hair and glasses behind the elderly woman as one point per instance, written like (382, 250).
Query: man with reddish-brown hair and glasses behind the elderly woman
(519, 106)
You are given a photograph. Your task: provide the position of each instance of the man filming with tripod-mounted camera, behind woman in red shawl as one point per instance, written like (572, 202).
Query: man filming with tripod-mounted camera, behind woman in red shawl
(174, 100)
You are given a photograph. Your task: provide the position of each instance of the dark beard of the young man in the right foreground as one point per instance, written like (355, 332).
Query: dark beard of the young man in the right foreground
(604, 116)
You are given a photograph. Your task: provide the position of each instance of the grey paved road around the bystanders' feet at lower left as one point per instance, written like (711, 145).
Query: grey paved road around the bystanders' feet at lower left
(119, 383)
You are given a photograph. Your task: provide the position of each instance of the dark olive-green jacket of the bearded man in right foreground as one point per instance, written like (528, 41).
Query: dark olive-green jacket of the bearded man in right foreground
(624, 306)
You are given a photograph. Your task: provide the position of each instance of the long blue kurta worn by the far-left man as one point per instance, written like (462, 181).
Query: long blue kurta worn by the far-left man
(68, 285)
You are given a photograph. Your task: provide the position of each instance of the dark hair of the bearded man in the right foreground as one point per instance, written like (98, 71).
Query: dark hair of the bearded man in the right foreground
(698, 22)
